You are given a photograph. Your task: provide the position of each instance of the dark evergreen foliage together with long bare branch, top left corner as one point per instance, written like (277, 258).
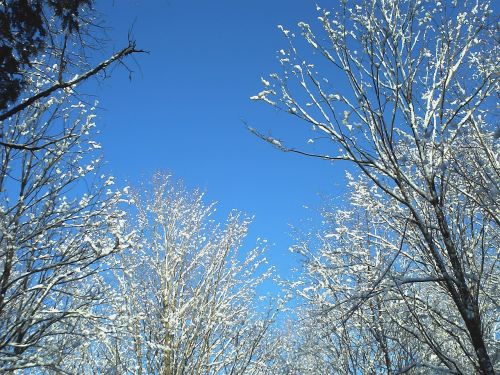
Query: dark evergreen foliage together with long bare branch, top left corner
(55, 40)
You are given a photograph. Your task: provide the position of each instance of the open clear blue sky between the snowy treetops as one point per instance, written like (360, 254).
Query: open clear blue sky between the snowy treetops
(183, 110)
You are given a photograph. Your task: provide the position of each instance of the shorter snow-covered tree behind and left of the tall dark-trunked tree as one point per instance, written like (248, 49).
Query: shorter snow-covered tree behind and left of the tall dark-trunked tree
(371, 297)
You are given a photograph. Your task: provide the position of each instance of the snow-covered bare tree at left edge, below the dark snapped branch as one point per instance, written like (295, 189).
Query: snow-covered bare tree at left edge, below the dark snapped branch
(57, 221)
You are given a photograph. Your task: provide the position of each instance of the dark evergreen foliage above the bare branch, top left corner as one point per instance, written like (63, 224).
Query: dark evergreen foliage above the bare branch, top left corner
(65, 30)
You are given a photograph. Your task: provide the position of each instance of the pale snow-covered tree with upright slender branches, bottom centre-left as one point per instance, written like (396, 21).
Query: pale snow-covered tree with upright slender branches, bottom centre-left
(183, 299)
